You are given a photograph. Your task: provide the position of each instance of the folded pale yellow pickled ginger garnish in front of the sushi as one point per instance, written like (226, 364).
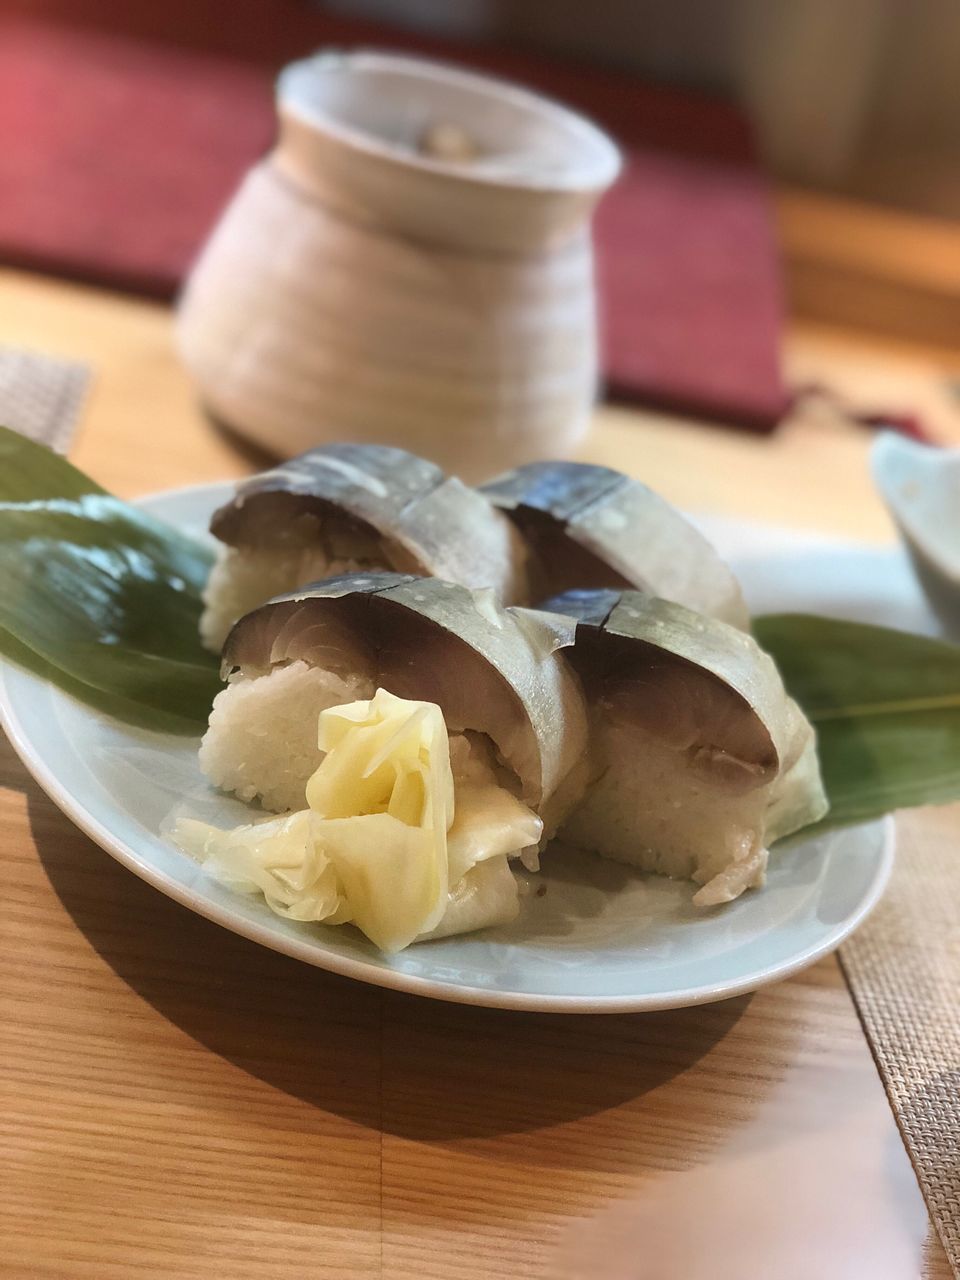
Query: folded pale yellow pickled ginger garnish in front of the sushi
(388, 843)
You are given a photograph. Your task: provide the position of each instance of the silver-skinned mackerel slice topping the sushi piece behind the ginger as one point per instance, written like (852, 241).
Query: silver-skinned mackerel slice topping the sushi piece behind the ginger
(492, 670)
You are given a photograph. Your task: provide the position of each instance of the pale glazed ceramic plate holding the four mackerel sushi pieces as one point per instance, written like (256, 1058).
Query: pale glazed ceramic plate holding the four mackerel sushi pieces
(601, 940)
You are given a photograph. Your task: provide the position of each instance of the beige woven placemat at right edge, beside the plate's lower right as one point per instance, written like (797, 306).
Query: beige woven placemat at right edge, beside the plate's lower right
(903, 968)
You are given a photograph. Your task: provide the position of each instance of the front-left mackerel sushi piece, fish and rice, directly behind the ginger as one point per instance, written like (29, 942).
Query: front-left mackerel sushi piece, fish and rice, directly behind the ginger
(511, 703)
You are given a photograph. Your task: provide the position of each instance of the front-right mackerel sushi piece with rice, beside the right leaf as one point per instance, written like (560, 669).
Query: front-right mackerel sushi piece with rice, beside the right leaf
(701, 757)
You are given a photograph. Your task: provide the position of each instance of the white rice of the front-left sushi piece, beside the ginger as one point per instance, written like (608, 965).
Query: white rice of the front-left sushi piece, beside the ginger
(263, 734)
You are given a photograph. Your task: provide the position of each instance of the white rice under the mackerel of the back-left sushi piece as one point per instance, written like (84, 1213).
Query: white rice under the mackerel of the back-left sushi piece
(243, 579)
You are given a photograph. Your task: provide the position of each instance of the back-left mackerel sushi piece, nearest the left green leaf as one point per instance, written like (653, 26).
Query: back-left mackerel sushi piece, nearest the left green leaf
(354, 509)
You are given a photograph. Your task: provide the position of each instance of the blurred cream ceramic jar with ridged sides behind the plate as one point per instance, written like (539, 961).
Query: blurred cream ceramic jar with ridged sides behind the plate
(410, 266)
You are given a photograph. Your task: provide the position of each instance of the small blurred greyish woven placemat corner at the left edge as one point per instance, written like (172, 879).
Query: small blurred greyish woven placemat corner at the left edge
(42, 396)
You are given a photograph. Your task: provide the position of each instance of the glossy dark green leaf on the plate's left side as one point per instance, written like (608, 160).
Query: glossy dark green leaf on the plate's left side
(99, 596)
